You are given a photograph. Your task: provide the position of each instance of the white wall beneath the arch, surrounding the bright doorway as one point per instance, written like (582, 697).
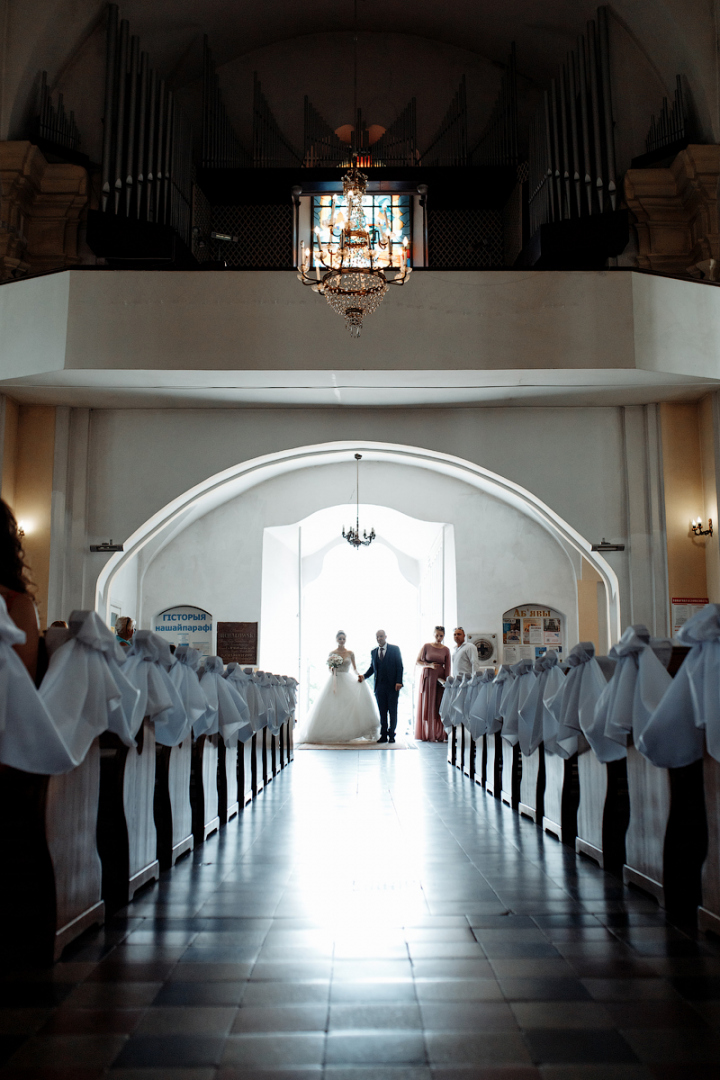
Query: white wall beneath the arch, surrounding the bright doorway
(504, 559)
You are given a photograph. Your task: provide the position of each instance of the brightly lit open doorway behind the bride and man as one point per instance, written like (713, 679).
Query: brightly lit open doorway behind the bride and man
(315, 585)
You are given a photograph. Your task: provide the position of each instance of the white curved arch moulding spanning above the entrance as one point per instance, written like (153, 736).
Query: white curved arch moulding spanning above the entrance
(233, 482)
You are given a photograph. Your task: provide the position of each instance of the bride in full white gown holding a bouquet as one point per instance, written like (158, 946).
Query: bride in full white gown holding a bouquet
(346, 710)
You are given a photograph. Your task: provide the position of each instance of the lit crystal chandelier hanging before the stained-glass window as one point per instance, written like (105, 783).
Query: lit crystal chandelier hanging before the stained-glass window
(351, 265)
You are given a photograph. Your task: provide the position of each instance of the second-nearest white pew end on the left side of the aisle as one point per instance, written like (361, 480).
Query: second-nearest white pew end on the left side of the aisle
(127, 835)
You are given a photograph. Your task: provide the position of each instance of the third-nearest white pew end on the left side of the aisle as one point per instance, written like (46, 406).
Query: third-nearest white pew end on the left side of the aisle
(172, 803)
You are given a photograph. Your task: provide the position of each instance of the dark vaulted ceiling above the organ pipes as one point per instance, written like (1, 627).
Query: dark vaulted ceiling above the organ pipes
(676, 36)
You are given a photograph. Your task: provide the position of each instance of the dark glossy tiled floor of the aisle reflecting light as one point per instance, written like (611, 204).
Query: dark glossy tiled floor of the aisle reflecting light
(375, 917)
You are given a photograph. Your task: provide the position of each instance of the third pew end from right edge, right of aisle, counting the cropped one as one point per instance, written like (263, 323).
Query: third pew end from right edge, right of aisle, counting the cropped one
(604, 812)
